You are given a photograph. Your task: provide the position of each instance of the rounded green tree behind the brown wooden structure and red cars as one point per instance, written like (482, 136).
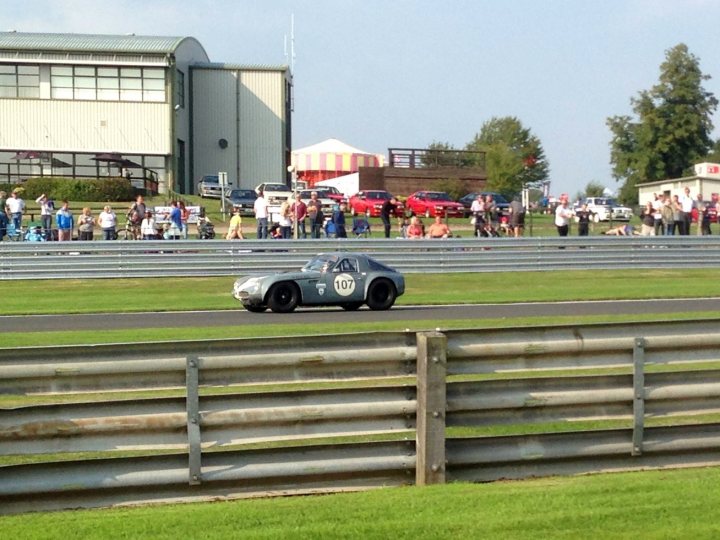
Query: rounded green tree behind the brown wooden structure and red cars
(514, 157)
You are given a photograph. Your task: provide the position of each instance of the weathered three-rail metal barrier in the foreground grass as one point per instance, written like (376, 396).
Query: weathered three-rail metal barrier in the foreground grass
(226, 418)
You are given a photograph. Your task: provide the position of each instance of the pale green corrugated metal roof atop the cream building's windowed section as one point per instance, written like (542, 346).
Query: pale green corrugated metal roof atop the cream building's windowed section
(89, 43)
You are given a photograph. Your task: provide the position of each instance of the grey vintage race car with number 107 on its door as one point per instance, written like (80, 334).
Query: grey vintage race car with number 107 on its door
(348, 280)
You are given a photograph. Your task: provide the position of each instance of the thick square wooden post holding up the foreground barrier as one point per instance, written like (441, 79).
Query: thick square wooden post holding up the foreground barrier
(431, 398)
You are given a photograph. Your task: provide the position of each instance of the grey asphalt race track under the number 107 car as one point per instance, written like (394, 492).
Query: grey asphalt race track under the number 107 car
(326, 317)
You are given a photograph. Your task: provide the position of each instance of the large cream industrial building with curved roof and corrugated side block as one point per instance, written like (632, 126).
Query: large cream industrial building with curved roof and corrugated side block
(151, 108)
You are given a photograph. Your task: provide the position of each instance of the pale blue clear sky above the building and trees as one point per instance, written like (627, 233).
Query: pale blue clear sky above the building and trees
(406, 73)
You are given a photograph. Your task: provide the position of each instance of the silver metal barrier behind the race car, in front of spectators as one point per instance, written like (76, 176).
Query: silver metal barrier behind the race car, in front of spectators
(100, 259)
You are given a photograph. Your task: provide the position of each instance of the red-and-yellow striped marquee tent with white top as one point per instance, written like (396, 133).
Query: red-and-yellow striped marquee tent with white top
(330, 159)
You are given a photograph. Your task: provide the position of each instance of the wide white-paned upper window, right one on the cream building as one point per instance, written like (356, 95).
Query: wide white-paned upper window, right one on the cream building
(107, 83)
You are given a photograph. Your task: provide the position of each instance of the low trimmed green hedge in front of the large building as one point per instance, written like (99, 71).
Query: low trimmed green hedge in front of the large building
(73, 189)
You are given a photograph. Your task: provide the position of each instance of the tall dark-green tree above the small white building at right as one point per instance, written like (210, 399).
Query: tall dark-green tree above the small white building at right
(671, 130)
